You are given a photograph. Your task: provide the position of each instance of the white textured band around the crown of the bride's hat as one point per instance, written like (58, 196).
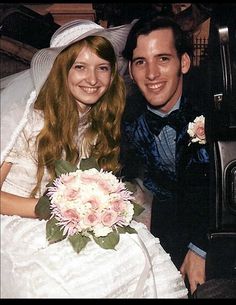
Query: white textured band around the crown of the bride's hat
(70, 34)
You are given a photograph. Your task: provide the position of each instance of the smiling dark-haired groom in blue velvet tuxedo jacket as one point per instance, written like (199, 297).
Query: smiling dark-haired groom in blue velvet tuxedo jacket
(172, 154)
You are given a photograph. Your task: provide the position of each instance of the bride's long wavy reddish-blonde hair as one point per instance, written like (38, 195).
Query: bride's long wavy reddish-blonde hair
(61, 117)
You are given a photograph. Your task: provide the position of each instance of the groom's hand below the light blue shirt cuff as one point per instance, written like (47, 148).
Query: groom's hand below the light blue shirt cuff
(194, 268)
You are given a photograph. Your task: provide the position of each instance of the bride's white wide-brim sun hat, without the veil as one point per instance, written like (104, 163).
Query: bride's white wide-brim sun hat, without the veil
(70, 33)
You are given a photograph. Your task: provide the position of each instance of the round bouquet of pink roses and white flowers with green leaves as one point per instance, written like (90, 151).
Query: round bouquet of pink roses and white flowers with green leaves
(87, 203)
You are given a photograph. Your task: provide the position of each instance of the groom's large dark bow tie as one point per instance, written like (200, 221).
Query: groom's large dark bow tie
(175, 120)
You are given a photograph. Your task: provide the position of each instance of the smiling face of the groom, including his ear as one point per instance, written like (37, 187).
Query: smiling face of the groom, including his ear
(157, 69)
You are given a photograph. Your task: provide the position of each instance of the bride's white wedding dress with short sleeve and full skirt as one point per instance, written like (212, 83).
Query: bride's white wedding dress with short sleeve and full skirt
(31, 268)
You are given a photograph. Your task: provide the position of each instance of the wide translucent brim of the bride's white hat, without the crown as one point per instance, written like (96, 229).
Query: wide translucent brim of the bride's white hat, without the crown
(43, 60)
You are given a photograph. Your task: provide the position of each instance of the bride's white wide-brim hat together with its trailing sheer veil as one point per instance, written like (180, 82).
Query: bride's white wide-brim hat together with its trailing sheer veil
(19, 91)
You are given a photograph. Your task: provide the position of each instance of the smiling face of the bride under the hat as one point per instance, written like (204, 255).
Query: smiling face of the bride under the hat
(88, 78)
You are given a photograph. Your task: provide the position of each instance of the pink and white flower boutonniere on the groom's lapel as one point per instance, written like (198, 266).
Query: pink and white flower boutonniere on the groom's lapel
(196, 130)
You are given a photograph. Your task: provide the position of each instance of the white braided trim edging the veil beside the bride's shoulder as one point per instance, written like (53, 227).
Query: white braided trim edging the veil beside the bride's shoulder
(19, 127)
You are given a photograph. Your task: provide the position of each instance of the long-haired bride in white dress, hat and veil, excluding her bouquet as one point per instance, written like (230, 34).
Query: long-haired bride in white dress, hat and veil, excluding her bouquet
(68, 105)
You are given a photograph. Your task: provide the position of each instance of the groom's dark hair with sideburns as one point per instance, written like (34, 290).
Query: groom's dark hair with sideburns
(145, 25)
